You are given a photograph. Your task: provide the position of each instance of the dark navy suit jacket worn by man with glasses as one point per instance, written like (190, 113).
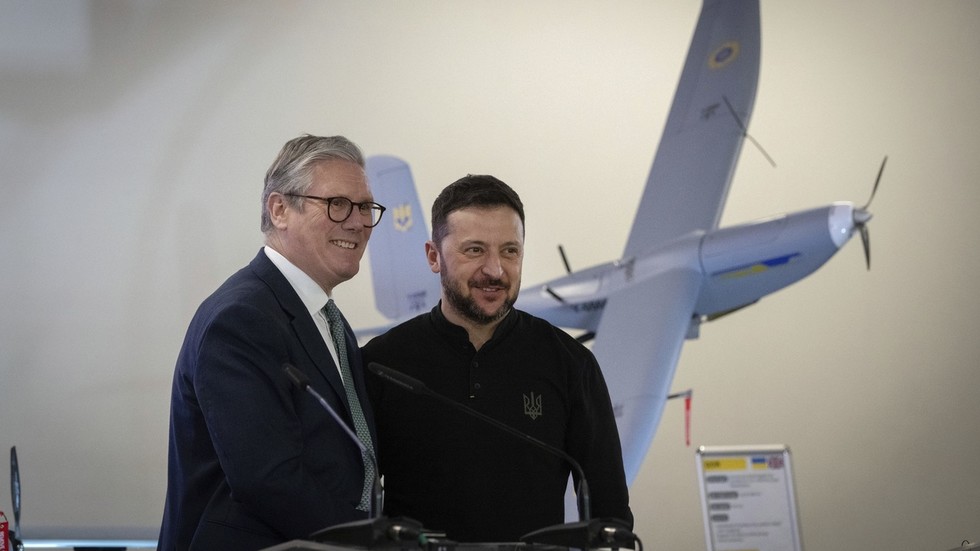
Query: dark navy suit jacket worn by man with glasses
(254, 461)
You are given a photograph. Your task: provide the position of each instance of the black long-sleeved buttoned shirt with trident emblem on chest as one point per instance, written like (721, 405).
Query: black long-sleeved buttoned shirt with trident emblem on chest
(458, 474)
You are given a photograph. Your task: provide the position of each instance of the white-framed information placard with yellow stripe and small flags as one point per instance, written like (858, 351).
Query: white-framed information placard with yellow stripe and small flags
(747, 498)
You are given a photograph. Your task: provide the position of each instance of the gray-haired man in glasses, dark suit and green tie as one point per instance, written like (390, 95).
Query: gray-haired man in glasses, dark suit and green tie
(253, 460)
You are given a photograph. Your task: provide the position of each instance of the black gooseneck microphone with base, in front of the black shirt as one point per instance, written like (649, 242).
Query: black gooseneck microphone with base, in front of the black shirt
(591, 533)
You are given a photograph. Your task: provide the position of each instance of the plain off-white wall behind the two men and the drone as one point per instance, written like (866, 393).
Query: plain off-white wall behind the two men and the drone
(134, 137)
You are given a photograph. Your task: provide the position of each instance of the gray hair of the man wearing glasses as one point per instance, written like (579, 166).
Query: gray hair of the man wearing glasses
(292, 171)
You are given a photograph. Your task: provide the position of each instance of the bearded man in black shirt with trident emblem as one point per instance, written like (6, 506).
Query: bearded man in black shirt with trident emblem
(456, 473)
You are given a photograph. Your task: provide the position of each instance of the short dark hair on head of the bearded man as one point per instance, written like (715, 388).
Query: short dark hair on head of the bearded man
(472, 190)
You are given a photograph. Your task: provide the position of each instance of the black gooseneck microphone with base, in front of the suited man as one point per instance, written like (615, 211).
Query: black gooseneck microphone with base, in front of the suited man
(372, 532)
